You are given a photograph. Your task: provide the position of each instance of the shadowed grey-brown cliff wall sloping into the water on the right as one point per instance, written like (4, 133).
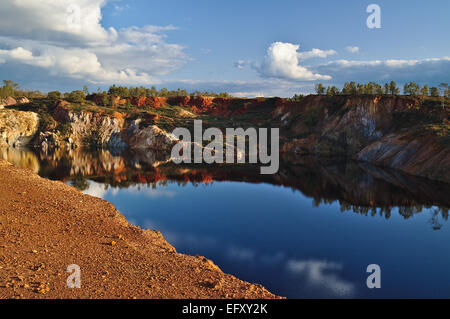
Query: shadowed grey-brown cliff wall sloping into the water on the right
(397, 132)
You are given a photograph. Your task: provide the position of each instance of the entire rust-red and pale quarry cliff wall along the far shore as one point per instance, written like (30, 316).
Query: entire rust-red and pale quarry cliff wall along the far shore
(406, 133)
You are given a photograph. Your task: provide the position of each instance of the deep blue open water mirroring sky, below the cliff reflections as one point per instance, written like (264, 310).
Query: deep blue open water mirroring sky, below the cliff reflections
(275, 236)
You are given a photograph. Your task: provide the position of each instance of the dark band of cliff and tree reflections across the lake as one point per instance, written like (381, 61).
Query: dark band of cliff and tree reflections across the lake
(358, 187)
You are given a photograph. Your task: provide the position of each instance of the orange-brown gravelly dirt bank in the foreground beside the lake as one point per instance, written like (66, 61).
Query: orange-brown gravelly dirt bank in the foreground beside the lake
(46, 226)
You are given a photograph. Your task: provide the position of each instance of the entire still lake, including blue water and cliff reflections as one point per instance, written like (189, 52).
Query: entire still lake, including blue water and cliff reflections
(309, 231)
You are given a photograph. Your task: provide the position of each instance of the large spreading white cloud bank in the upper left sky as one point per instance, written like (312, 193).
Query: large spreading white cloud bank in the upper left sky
(65, 38)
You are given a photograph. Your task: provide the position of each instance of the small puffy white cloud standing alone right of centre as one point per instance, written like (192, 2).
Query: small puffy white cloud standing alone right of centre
(282, 61)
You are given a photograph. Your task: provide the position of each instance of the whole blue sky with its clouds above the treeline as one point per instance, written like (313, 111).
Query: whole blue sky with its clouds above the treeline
(250, 47)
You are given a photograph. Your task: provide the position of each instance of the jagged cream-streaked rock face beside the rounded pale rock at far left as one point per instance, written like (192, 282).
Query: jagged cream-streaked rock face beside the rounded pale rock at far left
(101, 130)
